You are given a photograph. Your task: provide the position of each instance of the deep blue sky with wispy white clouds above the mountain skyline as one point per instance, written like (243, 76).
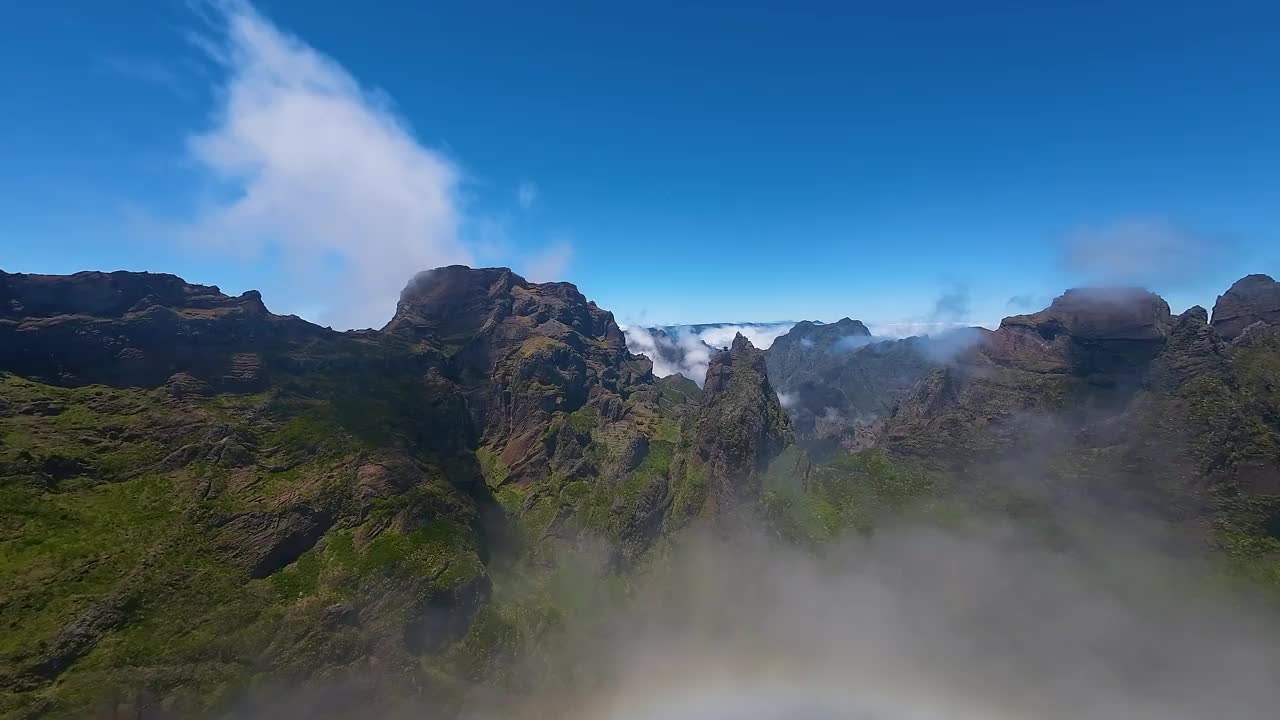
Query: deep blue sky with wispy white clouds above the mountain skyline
(680, 162)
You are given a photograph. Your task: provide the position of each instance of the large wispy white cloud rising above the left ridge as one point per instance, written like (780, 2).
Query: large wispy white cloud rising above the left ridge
(319, 170)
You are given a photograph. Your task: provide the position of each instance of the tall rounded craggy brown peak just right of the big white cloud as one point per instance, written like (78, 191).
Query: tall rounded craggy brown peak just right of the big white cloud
(522, 353)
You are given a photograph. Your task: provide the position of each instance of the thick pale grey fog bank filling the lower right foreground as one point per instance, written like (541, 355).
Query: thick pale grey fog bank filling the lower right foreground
(916, 623)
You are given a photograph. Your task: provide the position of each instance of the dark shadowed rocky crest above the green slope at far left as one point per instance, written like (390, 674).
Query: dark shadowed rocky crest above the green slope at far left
(140, 330)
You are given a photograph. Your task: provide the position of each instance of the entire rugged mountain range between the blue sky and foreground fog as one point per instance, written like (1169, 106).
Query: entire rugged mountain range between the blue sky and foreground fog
(205, 502)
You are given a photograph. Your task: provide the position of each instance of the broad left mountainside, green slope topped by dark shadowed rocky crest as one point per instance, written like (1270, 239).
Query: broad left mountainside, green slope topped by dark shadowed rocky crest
(184, 464)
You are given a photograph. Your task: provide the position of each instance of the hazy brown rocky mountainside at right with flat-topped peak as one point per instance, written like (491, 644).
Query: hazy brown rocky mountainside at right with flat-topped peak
(1108, 398)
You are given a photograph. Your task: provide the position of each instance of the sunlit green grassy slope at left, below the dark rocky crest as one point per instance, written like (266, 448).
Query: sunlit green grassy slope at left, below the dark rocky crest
(94, 511)
